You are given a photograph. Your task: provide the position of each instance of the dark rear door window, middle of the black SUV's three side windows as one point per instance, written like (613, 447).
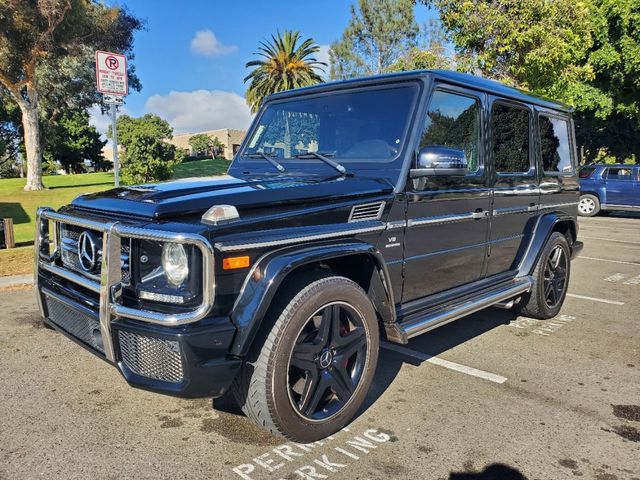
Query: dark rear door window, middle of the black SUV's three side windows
(510, 127)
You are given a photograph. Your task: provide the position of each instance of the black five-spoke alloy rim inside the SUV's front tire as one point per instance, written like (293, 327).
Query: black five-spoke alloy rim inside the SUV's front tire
(327, 361)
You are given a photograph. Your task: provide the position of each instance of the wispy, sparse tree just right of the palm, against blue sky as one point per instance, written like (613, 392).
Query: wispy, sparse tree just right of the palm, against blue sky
(378, 34)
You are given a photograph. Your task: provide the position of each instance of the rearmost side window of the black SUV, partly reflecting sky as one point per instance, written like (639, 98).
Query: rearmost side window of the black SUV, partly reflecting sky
(554, 143)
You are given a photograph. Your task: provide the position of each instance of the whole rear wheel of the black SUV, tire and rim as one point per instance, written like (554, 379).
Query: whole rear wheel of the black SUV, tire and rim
(545, 301)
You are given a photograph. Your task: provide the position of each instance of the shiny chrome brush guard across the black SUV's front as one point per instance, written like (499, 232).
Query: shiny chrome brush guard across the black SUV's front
(111, 273)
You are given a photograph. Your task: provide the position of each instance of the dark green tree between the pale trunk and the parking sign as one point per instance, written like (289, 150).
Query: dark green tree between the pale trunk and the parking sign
(72, 139)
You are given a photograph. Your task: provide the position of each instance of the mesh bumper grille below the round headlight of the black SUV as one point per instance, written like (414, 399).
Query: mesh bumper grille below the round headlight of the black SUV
(151, 357)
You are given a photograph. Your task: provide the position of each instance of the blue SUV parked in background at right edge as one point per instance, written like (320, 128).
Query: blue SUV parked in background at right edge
(609, 187)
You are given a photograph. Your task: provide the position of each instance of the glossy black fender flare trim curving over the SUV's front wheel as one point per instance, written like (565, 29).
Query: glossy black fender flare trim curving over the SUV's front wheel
(267, 274)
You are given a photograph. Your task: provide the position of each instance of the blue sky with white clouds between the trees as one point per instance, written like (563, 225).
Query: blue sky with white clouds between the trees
(191, 57)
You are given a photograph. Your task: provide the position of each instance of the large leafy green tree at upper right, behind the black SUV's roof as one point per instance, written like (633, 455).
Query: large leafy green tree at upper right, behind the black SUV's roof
(582, 53)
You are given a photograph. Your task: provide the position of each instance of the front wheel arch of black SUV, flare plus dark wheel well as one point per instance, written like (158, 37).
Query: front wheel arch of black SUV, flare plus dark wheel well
(358, 261)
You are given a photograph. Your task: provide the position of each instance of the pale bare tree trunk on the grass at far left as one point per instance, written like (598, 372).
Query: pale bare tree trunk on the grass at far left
(31, 127)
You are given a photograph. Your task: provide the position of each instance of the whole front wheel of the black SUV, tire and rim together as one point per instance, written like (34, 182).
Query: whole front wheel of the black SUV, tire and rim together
(275, 387)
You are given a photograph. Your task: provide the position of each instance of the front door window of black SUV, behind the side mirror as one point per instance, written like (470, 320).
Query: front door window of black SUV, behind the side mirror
(453, 122)
